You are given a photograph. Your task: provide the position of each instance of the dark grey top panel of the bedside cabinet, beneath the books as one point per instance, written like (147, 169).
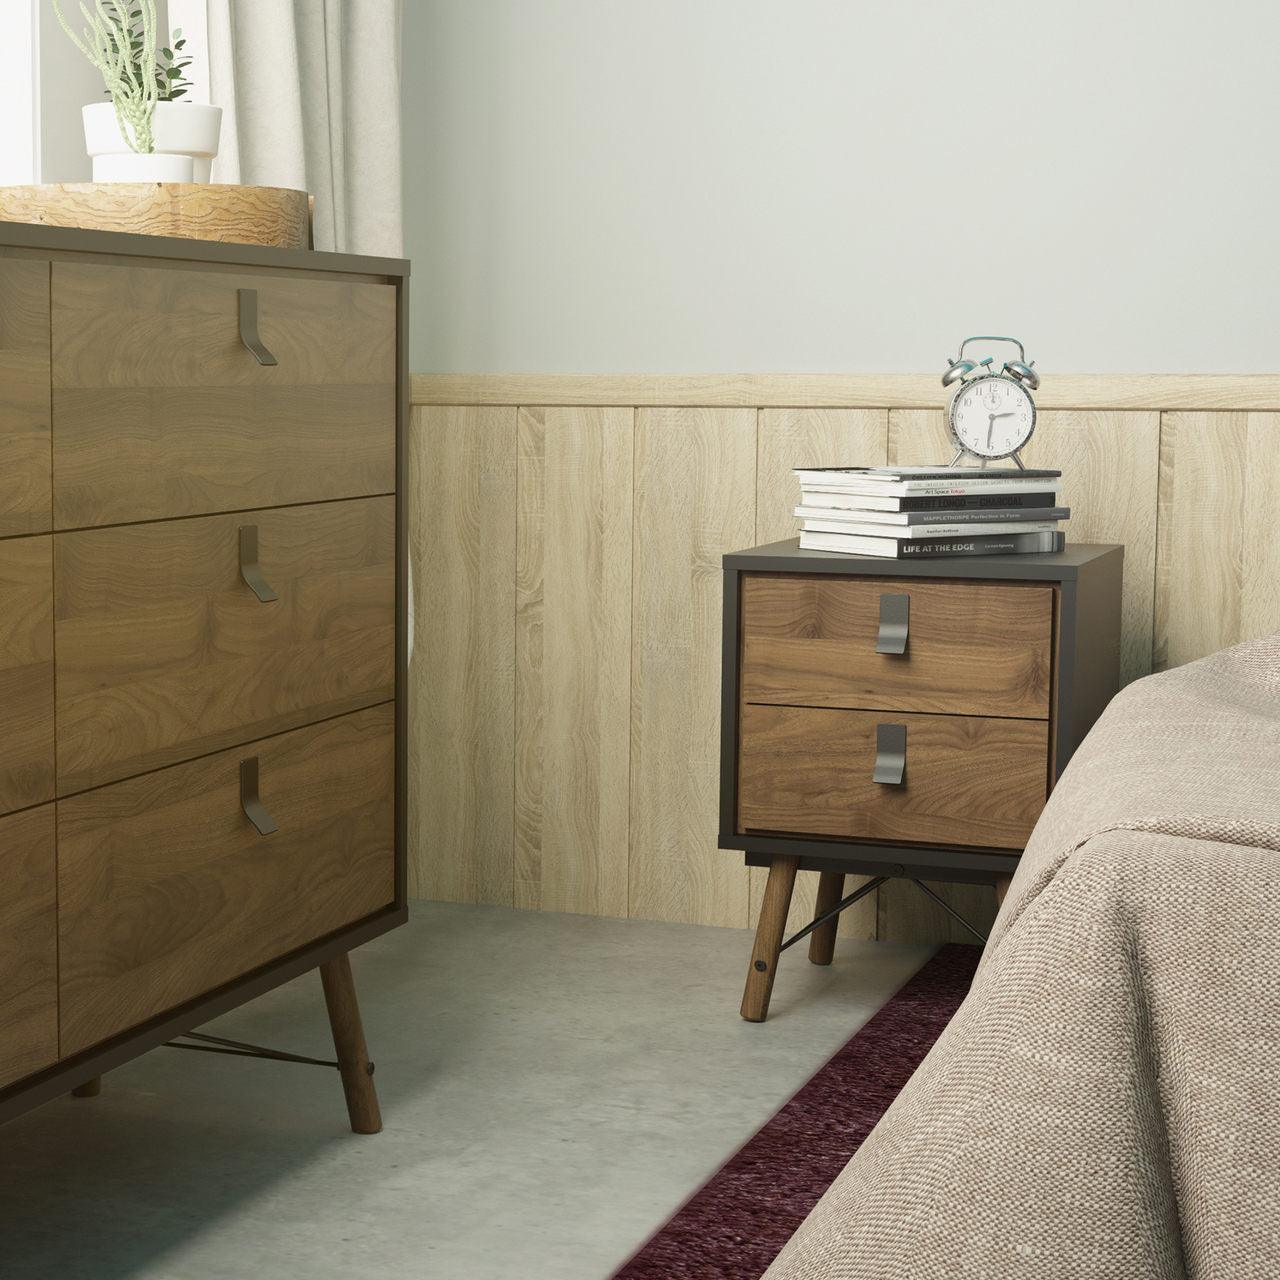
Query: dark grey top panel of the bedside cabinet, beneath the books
(787, 557)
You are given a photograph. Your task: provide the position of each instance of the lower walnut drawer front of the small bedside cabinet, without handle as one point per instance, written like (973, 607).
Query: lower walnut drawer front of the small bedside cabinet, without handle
(968, 780)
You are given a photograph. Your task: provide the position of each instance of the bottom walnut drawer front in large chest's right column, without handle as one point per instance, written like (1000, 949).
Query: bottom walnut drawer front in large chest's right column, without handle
(167, 890)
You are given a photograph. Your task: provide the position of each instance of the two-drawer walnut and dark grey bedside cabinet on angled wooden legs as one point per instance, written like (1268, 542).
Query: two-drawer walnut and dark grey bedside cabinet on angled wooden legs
(895, 719)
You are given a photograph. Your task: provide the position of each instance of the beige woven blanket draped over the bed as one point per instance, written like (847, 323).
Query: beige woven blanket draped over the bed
(1107, 1103)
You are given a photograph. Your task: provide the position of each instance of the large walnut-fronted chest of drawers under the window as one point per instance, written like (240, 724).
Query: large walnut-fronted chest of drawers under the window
(203, 641)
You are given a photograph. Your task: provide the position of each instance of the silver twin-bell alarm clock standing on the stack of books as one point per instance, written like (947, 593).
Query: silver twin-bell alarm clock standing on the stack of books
(991, 415)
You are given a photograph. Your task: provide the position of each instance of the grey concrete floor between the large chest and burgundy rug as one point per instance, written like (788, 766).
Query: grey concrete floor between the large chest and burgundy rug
(552, 1087)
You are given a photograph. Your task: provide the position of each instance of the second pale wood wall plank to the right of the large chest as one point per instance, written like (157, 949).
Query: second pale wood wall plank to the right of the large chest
(574, 660)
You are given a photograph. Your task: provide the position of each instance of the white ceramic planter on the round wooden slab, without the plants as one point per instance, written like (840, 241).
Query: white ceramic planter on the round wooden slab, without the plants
(186, 143)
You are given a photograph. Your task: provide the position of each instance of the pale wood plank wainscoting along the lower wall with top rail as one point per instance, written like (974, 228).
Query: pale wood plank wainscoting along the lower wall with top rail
(568, 536)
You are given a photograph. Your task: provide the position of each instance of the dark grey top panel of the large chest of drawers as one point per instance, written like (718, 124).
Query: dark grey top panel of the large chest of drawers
(70, 240)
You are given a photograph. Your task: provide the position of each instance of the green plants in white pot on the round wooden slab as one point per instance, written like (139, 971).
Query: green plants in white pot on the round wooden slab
(145, 132)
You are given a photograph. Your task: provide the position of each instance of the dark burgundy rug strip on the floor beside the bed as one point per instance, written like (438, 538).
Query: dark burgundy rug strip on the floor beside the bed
(738, 1223)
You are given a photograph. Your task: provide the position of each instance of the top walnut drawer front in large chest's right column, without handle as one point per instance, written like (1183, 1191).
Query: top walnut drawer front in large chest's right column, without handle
(159, 408)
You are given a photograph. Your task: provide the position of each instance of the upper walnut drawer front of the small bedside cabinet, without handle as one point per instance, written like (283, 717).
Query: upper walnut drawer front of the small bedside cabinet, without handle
(973, 648)
